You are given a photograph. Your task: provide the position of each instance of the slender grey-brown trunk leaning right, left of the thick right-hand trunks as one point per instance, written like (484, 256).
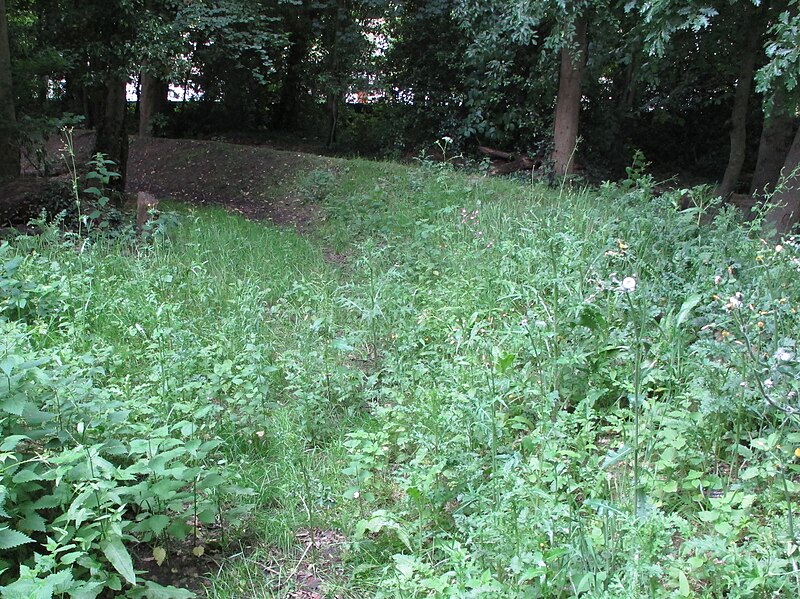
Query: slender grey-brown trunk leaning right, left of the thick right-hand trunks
(730, 179)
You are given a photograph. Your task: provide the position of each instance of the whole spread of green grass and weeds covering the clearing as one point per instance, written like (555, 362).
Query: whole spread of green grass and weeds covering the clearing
(506, 391)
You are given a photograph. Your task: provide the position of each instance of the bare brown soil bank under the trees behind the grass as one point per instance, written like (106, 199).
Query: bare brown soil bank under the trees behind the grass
(255, 181)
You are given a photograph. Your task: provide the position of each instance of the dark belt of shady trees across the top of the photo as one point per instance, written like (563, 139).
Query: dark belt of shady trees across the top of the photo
(707, 89)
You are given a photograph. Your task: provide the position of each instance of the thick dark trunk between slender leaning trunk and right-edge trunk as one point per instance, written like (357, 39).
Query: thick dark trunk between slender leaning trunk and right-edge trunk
(776, 139)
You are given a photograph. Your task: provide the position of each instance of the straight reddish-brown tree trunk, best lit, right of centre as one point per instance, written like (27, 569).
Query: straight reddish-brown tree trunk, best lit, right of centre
(568, 101)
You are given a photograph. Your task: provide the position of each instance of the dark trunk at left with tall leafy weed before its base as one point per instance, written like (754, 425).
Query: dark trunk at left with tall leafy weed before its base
(112, 136)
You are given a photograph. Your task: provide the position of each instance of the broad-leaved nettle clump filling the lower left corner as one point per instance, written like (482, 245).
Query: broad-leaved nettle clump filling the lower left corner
(80, 478)
